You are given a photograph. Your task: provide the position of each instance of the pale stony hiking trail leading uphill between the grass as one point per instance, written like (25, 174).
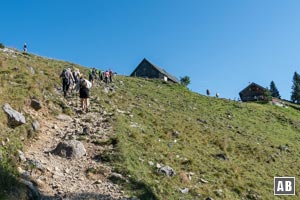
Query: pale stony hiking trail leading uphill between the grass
(71, 172)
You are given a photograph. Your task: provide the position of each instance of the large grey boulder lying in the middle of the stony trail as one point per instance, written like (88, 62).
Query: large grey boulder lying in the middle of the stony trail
(70, 149)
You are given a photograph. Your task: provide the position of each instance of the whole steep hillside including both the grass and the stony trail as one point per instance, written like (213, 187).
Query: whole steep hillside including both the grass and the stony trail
(218, 148)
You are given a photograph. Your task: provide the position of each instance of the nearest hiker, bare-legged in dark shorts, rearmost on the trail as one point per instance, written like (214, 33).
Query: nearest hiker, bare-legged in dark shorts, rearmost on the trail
(84, 93)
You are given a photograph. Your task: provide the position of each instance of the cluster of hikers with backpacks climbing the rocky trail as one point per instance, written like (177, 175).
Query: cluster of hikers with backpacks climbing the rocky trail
(72, 80)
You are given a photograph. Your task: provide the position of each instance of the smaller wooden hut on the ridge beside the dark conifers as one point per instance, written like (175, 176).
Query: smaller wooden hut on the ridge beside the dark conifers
(254, 92)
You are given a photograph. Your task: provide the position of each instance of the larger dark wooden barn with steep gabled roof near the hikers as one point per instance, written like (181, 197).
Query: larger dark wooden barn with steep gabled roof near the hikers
(148, 70)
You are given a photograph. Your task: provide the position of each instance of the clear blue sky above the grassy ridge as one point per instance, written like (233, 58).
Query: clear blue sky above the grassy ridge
(221, 45)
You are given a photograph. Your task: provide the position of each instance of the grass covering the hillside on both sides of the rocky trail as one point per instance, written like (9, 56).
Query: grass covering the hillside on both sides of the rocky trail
(231, 150)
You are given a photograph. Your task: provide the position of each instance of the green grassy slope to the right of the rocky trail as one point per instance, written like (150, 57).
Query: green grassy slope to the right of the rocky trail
(167, 124)
